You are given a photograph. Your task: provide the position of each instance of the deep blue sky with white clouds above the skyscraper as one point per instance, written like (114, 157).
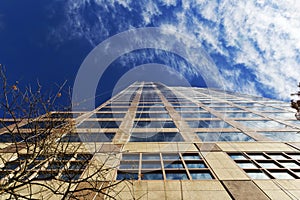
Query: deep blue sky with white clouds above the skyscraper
(254, 44)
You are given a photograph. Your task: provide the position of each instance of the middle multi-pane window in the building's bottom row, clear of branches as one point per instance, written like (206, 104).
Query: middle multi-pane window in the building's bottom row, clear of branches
(169, 166)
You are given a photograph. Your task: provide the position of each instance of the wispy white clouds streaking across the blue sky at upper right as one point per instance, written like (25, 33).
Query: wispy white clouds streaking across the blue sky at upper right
(258, 40)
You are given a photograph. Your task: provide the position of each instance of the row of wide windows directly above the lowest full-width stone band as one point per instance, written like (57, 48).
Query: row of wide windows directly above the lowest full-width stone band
(150, 136)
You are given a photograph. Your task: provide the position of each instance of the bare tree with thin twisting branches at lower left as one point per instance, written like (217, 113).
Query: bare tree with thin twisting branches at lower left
(36, 163)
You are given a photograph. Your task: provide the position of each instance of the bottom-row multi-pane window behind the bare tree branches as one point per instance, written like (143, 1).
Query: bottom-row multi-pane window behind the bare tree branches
(64, 166)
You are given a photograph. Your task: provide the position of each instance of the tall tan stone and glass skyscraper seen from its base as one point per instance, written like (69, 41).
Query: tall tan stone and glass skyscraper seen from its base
(185, 143)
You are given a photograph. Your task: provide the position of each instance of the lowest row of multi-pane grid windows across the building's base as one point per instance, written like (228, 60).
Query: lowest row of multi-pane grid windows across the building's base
(158, 166)
